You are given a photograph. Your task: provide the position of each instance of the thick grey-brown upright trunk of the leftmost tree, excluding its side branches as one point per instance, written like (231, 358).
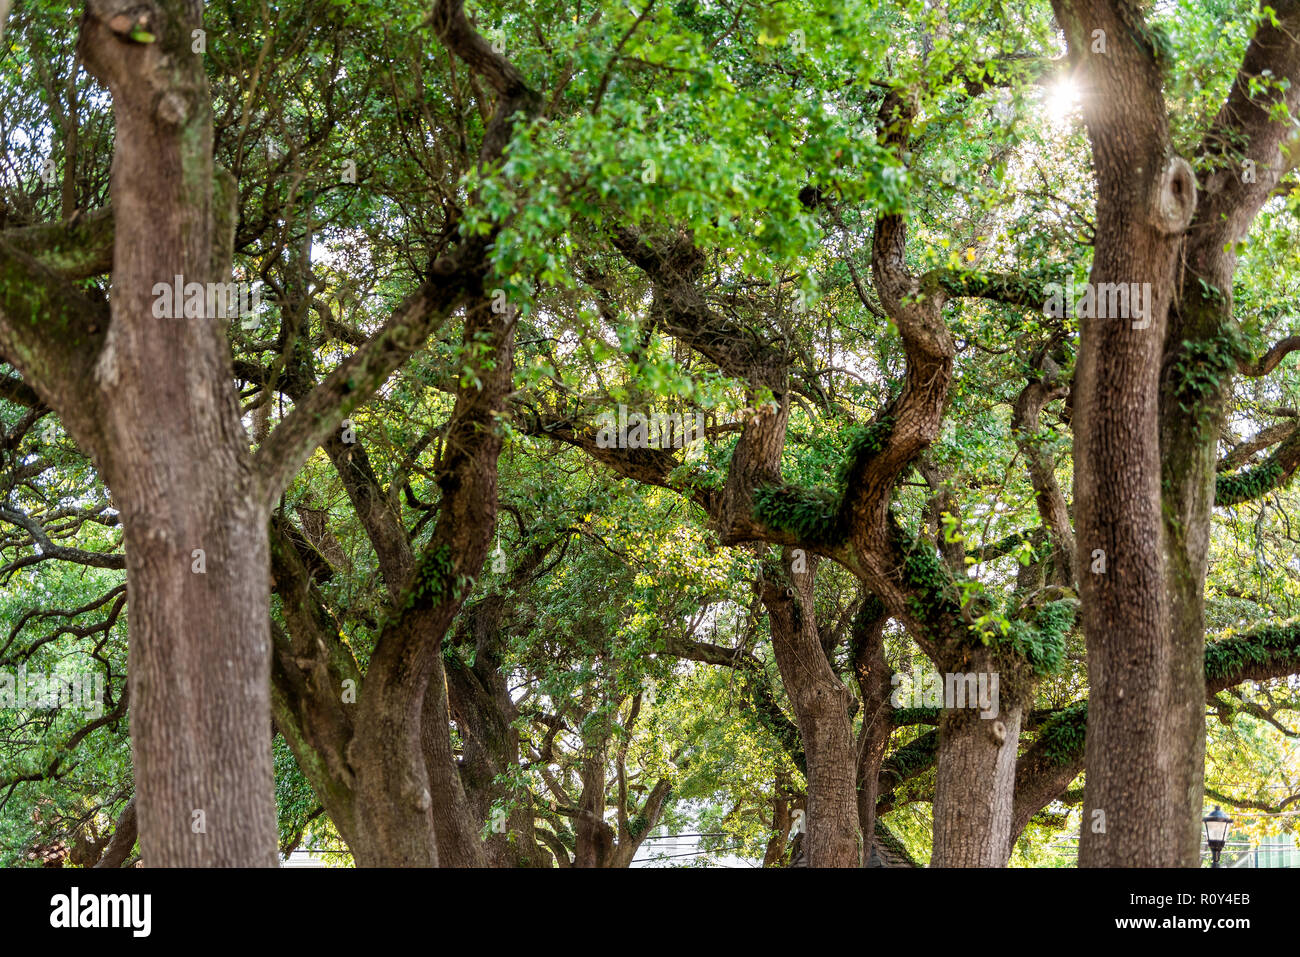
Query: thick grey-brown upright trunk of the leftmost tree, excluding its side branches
(176, 457)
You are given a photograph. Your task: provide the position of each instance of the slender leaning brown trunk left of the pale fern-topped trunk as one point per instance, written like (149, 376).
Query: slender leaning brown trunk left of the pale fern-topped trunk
(821, 705)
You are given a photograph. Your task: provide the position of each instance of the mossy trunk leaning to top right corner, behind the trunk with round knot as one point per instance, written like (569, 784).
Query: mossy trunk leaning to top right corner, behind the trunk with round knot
(1191, 421)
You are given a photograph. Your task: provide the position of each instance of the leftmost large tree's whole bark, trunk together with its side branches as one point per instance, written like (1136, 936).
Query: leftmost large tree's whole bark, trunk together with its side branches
(151, 401)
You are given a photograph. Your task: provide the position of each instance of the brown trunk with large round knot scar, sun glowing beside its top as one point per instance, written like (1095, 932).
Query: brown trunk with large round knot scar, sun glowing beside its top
(1146, 198)
